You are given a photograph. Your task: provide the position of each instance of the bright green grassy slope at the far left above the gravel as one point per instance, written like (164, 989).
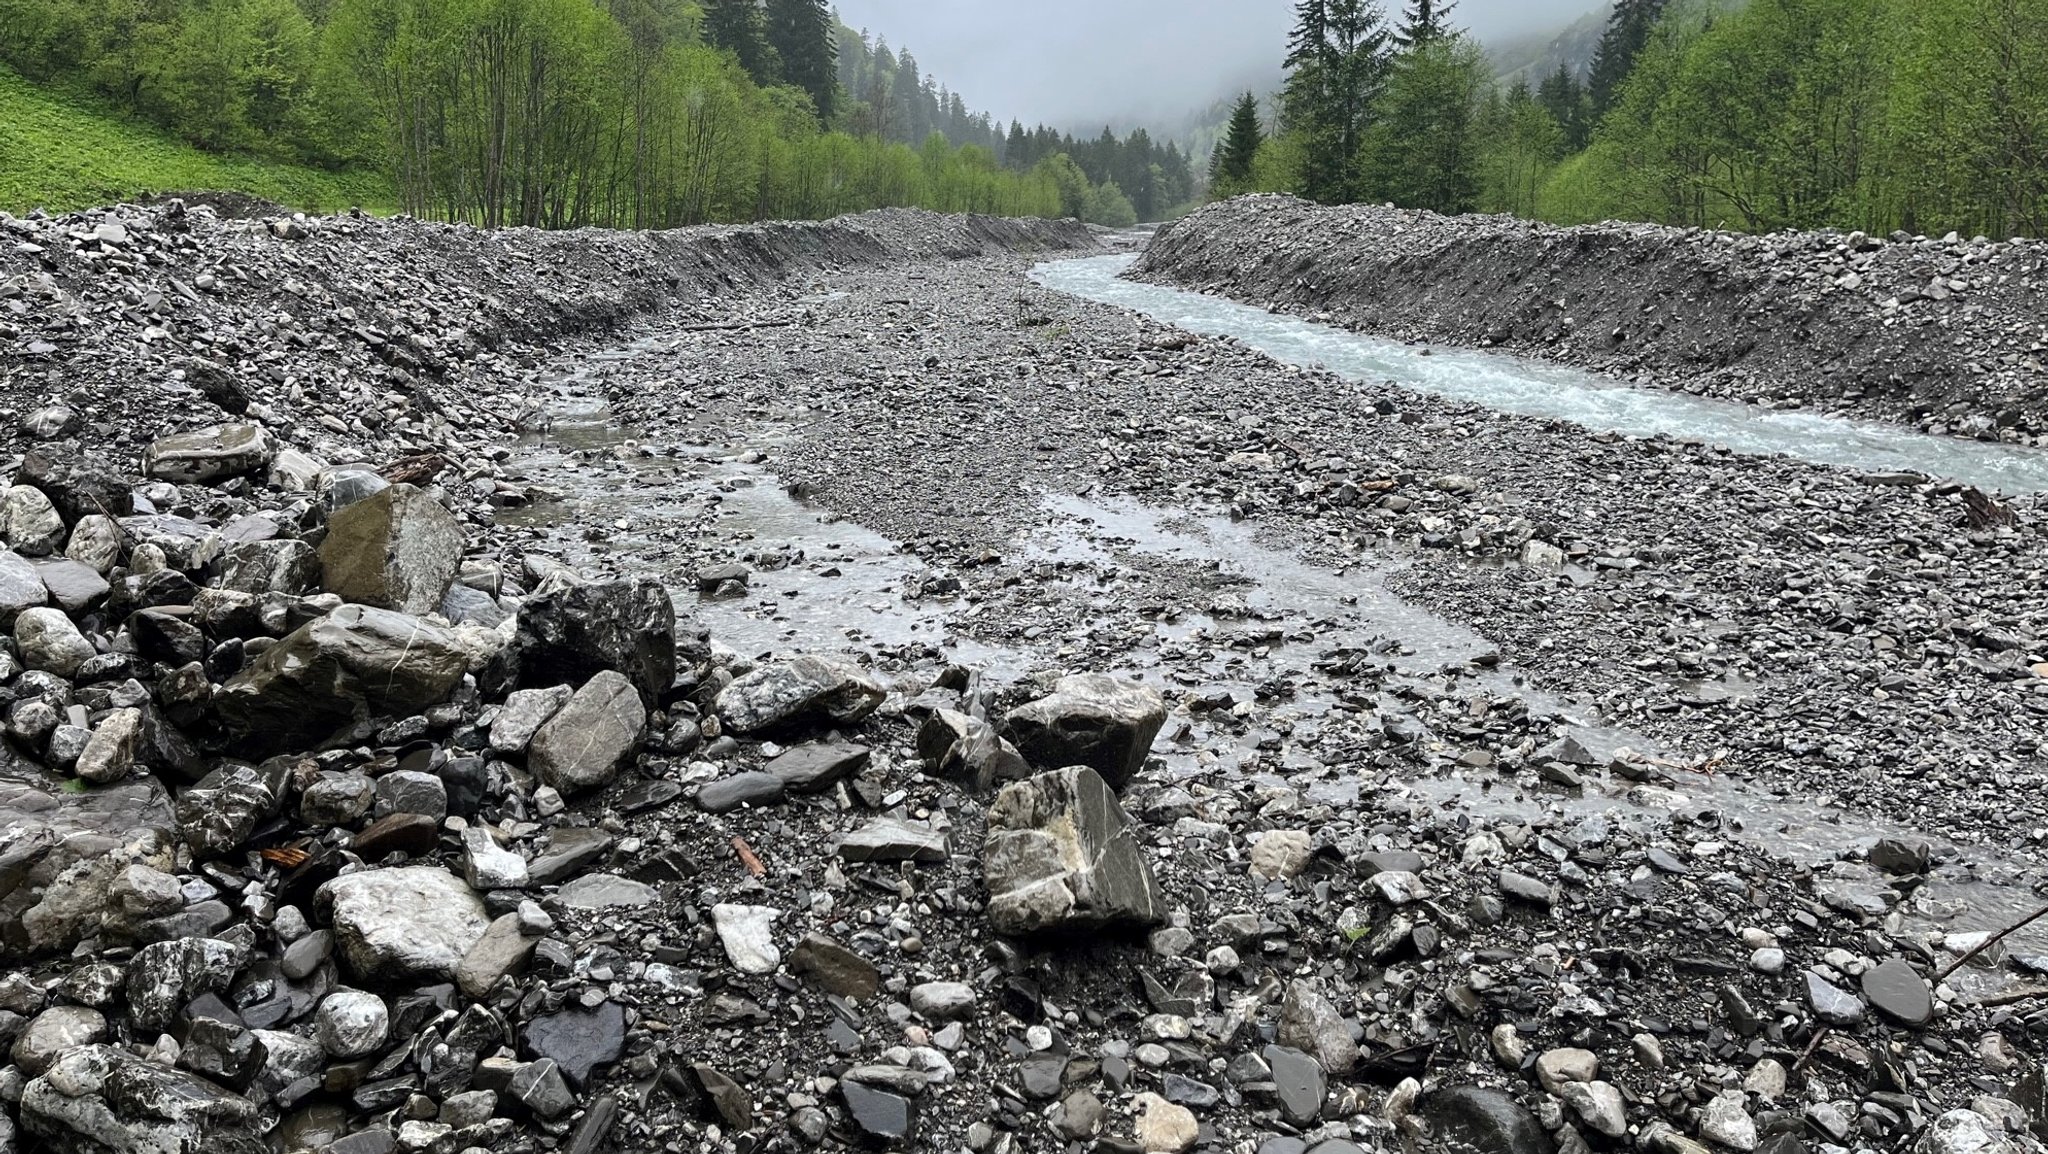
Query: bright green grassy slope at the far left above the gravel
(65, 153)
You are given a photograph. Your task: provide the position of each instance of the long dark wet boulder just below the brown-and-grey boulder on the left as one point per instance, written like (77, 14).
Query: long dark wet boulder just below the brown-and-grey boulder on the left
(353, 663)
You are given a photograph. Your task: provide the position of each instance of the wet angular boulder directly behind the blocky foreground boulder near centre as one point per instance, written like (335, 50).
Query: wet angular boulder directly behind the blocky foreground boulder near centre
(1093, 720)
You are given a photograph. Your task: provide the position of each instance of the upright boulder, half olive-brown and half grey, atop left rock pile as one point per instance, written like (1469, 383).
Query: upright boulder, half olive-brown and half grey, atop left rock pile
(396, 550)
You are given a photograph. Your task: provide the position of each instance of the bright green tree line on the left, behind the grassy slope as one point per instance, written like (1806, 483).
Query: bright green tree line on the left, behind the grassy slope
(556, 114)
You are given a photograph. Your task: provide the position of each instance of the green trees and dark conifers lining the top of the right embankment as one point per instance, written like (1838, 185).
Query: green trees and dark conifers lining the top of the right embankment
(1922, 116)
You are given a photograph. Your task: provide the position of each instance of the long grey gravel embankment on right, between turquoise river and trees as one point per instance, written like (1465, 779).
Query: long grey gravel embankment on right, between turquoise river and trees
(1949, 335)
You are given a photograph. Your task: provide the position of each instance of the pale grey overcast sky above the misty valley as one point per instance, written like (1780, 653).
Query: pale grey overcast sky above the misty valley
(1082, 63)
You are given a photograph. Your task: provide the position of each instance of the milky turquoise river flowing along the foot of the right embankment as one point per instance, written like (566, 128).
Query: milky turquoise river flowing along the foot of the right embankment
(1535, 388)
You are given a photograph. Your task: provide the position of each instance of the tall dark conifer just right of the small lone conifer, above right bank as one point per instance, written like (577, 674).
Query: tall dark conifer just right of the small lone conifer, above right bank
(1338, 69)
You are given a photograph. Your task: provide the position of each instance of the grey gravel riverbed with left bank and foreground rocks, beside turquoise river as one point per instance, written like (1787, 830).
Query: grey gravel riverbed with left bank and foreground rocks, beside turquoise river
(822, 688)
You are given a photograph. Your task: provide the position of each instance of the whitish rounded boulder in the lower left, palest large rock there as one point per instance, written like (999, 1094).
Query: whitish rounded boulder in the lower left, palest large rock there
(404, 923)
